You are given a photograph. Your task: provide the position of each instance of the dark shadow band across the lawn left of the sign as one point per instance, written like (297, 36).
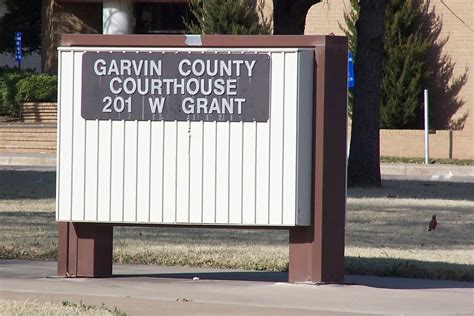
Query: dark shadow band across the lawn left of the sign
(27, 184)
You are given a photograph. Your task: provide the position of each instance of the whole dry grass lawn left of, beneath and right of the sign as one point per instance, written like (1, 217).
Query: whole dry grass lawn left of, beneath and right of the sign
(386, 232)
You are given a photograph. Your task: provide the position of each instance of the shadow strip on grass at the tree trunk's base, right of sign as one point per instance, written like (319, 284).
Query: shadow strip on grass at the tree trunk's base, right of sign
(413, 189)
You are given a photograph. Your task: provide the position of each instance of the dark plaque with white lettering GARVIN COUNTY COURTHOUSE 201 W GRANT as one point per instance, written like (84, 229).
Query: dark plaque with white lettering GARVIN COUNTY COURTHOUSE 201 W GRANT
(182, 86)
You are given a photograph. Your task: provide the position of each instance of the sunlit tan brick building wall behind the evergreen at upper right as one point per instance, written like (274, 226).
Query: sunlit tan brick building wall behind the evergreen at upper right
(323, 18)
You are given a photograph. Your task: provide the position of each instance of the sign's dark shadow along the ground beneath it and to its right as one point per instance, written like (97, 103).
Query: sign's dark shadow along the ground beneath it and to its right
(374, 272)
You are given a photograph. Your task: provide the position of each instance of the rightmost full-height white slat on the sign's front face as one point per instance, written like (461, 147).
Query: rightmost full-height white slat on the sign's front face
(289, 140)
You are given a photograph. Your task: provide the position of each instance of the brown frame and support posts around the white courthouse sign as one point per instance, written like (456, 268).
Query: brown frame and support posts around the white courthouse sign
(316, 251)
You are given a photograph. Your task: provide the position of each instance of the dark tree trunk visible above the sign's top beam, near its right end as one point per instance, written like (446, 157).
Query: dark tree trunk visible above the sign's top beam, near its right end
(289, 16)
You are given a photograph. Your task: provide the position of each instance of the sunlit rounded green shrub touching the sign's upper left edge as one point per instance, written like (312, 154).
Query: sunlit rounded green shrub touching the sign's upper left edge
(37, 88)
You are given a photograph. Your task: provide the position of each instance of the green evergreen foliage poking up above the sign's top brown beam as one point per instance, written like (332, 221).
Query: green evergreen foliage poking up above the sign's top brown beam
(237, 17)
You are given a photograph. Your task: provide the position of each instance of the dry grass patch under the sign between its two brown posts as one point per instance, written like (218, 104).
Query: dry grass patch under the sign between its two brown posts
(202, 247)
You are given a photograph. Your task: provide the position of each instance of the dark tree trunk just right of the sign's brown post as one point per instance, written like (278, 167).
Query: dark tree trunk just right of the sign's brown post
(364, 158)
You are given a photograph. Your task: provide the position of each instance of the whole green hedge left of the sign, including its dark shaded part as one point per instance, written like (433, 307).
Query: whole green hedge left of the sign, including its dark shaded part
(24, 86)
